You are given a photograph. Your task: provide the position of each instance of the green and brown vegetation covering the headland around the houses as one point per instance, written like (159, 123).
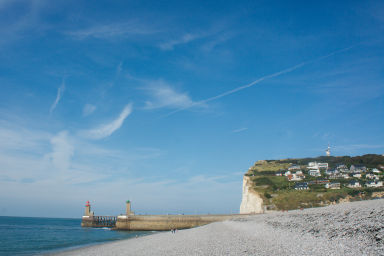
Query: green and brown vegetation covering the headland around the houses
(278, 192)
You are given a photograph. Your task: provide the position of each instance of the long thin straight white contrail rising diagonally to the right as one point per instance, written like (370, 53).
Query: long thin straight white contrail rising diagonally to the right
(282, 72)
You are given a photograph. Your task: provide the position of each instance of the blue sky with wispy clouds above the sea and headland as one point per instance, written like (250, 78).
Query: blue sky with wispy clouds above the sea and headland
(169, 103)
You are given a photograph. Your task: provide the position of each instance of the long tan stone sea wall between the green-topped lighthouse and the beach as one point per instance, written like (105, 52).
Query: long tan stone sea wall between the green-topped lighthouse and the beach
(166, 222)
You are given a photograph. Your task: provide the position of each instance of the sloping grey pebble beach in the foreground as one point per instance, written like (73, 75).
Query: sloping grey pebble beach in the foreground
(355, 228)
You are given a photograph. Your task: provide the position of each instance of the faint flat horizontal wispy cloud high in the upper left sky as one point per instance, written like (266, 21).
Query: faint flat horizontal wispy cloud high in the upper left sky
(109, 31)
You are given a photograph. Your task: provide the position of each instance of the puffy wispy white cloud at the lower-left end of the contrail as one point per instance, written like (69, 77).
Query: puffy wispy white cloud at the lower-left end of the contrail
(163, 95)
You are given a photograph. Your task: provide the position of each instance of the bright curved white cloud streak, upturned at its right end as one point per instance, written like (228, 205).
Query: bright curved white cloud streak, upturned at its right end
(106, 130)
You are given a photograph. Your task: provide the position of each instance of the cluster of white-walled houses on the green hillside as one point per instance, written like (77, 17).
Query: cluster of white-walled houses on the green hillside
(315, 169)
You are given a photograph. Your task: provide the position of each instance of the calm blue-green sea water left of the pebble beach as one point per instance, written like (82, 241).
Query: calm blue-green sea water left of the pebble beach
(35, 236)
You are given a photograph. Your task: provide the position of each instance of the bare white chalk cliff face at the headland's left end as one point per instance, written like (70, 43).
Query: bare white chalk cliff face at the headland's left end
(251, 201)
